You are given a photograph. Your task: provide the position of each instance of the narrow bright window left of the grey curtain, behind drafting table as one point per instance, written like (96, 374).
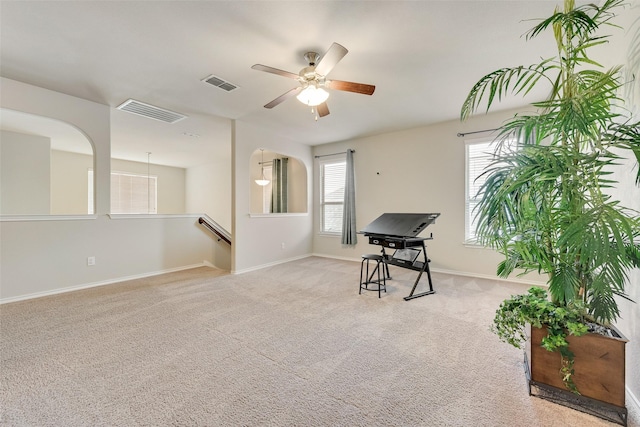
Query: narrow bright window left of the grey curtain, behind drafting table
(332, 178)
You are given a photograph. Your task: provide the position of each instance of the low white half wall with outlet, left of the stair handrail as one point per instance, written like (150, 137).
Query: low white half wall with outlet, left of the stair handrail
(43, 257)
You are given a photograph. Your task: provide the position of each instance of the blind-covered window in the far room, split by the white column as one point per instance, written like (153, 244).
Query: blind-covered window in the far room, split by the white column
(130, 193)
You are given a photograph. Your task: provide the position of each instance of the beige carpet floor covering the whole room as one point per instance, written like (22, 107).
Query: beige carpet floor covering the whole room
(289, 345)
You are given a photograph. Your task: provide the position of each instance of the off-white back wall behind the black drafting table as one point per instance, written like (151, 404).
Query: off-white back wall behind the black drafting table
(416, 170)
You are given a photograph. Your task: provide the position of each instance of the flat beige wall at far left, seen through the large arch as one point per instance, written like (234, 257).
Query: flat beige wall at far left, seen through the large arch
(25, 164)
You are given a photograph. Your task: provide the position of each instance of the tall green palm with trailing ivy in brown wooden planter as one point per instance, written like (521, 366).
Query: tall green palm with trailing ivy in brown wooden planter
(544, 204)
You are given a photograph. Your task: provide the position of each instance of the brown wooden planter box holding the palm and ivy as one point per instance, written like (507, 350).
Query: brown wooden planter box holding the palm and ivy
(599, 373)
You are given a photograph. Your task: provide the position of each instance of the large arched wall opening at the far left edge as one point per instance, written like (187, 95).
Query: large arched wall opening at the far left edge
(44, 166)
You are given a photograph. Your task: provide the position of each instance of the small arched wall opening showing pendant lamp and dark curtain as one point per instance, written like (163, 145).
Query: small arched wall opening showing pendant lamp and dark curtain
(295, 190)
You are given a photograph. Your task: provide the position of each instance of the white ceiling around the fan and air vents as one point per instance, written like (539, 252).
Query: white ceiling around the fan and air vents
(422, 56)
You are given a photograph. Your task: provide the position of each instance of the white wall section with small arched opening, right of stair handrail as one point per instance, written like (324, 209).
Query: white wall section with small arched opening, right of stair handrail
(259, 240)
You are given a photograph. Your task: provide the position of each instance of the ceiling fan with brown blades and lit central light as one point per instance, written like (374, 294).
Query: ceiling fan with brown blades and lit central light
(313, 79)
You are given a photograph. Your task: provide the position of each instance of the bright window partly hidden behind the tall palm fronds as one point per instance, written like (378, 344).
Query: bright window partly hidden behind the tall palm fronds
(479, 154)
